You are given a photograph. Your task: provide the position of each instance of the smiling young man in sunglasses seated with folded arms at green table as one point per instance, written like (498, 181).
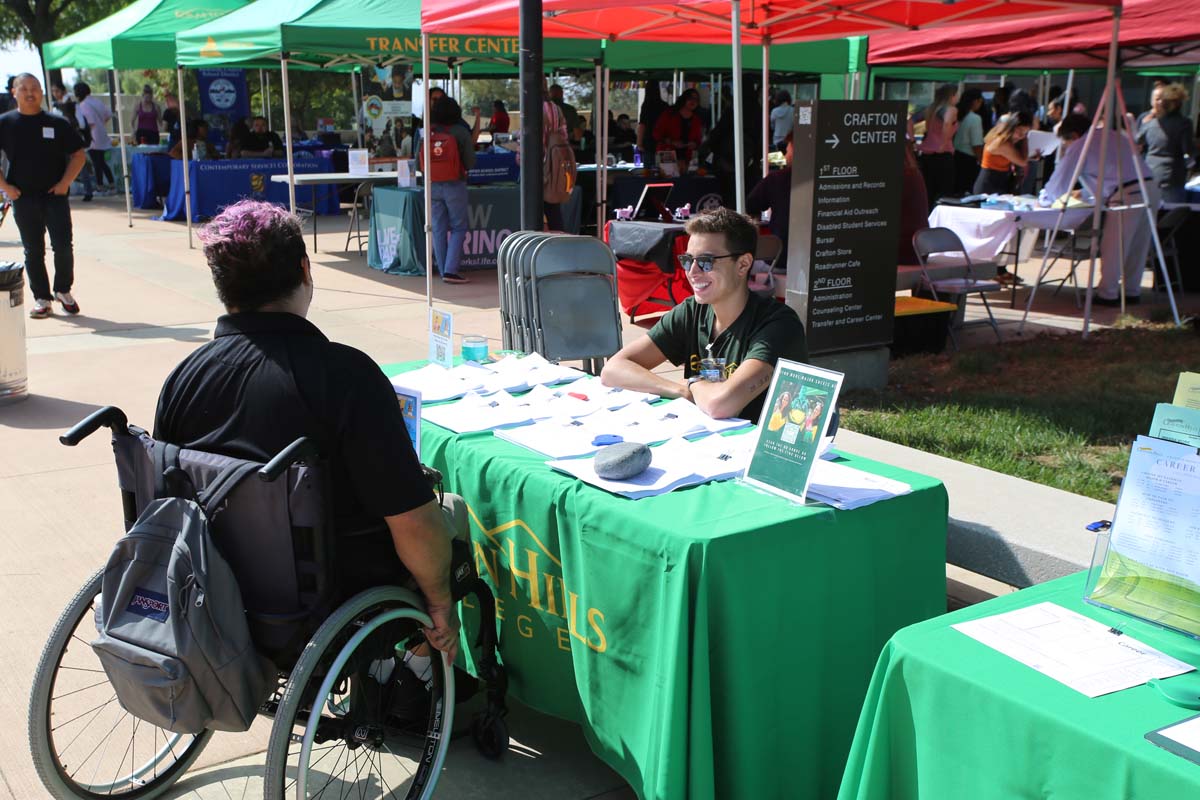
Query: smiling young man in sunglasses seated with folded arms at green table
(722, 321)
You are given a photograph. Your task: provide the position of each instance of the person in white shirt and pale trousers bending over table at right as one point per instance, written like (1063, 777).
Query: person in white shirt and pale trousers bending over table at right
(1126, 236)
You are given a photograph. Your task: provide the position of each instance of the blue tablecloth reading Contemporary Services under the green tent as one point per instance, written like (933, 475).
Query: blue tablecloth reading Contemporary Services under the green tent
(218, 184)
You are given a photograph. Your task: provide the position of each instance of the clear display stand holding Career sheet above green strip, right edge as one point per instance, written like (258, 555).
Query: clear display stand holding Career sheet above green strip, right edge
(1151, 568)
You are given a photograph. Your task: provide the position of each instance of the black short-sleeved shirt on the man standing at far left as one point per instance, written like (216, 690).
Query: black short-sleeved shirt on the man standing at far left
(39, 147)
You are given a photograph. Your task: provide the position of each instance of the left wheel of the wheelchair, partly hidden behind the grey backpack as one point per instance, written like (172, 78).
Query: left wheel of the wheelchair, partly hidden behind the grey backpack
(83, 743)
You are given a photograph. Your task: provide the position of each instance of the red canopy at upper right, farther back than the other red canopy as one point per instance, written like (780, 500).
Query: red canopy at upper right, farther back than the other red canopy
(1154, 33)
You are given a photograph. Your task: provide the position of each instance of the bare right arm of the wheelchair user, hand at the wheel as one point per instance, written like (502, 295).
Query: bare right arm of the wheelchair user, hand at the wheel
(423, 544)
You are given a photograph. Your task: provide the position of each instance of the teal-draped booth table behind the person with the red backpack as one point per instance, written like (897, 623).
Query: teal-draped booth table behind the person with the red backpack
(397, 243)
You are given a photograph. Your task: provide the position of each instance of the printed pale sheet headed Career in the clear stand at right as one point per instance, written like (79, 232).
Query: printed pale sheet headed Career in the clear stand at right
(1159, 514)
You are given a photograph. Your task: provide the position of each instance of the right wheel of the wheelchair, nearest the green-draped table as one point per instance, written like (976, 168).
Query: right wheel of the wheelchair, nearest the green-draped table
(335, 730)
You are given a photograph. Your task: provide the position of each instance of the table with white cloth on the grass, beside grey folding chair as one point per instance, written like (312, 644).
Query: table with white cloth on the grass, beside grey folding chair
(993, 234)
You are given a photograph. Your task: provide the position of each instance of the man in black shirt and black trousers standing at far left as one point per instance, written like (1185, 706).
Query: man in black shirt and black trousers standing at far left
(45, 155)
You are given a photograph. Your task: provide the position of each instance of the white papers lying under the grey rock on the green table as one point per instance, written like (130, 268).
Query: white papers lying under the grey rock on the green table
(675, 465)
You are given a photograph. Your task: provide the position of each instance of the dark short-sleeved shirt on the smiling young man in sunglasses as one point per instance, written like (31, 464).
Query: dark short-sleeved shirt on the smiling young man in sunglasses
(766, 330)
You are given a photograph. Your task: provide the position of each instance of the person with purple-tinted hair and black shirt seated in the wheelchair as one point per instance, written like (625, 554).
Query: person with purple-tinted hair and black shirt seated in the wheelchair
(271, 377)
